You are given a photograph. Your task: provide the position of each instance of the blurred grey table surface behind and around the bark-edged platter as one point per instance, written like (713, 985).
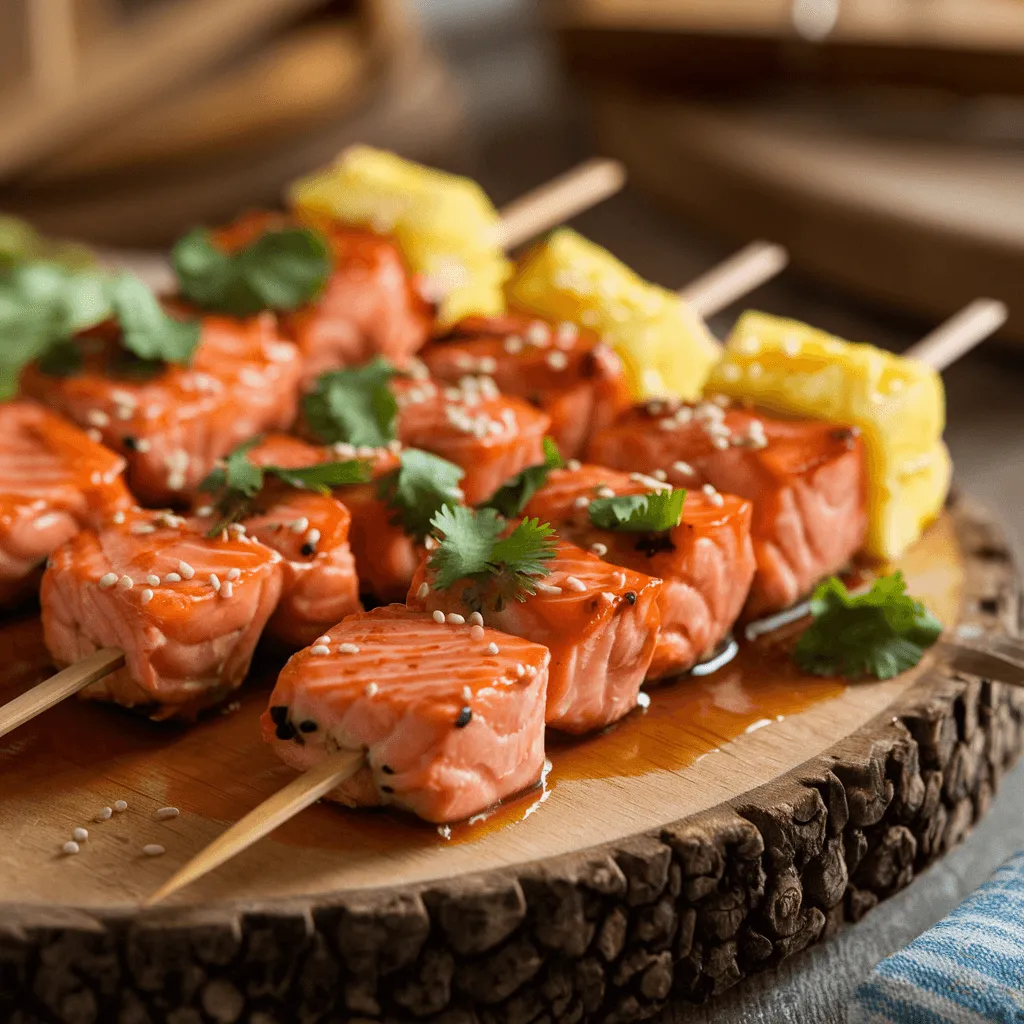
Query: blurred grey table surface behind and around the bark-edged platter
(526, 126)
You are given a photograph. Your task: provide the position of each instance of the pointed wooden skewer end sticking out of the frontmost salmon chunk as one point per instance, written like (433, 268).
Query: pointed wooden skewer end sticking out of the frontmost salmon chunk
(275, 812)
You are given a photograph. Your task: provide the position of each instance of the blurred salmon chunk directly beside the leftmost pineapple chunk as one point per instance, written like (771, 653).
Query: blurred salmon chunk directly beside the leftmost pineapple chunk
(371, 306)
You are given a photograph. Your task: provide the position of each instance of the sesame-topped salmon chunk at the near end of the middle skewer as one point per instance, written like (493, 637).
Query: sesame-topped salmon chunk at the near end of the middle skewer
(186, 610)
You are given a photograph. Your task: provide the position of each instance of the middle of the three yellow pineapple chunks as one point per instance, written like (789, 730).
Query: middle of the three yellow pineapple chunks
(666, 349)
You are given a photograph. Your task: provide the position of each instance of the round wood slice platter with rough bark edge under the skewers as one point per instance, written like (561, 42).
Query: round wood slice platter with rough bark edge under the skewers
(742, 818)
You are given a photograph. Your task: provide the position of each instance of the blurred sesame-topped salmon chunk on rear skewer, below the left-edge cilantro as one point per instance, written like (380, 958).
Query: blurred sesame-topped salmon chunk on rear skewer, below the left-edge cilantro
(174, 425)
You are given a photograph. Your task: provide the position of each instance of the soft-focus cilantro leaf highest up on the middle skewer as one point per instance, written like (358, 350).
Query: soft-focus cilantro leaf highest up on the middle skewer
(354, 406)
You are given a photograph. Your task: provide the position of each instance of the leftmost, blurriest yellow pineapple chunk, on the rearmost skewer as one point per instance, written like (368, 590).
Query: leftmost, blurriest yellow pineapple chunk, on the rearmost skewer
(446, 227)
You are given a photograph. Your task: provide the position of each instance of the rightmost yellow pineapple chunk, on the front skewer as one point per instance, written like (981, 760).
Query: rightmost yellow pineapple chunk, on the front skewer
(791, 369)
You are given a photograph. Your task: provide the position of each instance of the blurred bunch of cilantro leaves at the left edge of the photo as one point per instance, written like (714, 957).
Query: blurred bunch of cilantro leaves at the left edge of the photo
(44, 307)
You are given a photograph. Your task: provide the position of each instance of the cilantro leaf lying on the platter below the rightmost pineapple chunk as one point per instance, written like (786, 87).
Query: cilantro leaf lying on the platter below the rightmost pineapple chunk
(881, 633)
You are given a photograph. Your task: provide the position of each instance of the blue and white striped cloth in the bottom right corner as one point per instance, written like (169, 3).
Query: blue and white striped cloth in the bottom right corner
(968, 969)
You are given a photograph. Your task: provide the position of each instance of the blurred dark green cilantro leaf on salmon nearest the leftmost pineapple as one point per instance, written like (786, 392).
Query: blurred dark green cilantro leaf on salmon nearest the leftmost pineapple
(281, 271)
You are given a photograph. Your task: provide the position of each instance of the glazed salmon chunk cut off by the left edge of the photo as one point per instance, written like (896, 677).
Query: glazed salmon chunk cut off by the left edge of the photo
(55, 482)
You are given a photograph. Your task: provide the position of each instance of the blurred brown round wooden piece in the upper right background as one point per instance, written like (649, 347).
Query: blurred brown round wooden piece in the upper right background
(909, 201)
